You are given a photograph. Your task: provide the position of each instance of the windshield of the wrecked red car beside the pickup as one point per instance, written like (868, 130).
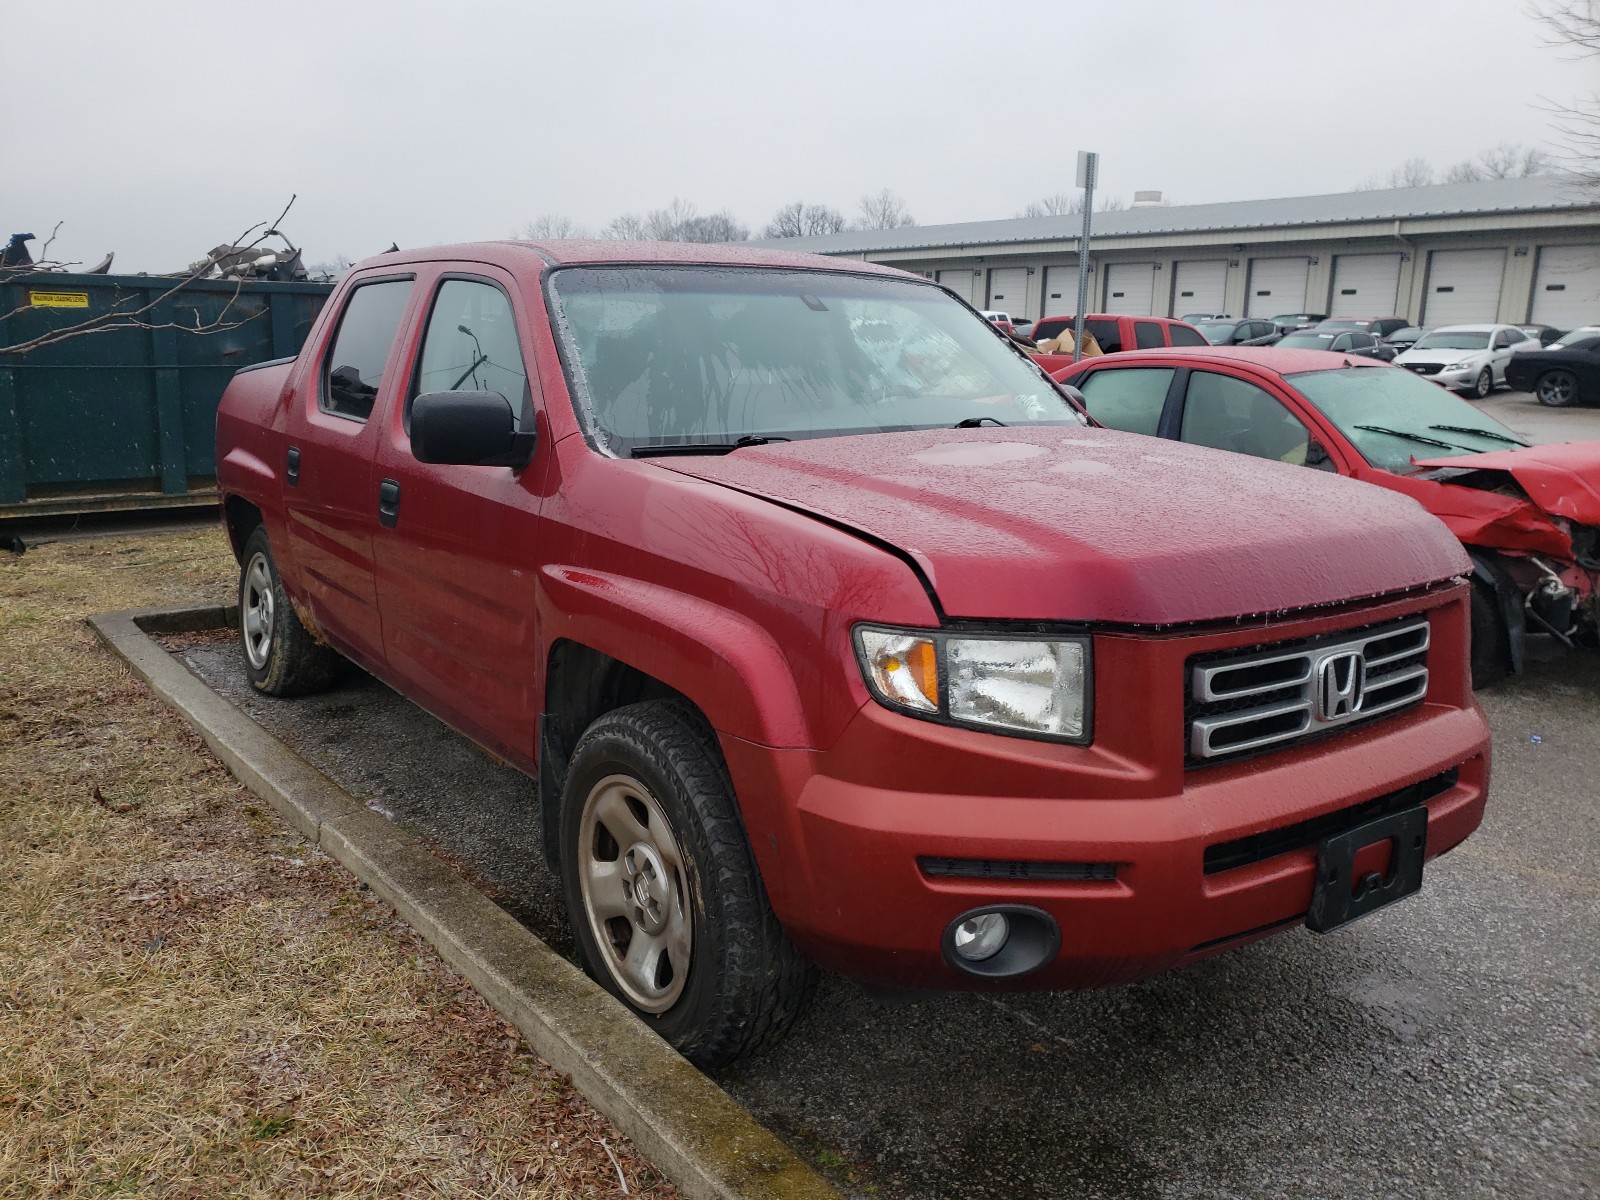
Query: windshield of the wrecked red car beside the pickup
(1393, 417)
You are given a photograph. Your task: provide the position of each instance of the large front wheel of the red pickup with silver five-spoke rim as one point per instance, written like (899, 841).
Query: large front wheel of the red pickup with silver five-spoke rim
(663, 894)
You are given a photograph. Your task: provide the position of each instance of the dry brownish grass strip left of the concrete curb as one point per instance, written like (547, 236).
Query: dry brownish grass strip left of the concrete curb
(196, 1004)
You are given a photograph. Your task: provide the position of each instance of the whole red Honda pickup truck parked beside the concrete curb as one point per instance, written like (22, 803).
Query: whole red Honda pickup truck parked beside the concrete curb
(834, 633)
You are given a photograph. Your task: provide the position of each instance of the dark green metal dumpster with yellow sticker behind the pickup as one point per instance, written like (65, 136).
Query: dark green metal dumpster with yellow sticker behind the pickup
(126, 418)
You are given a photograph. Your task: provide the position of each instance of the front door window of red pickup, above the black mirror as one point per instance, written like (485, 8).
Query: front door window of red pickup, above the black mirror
(473, 346)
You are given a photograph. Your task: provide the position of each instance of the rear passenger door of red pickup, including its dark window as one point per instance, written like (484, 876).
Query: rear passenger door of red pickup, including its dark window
(332, 439)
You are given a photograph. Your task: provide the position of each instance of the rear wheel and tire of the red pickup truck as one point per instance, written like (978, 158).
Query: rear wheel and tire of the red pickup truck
(281, 655)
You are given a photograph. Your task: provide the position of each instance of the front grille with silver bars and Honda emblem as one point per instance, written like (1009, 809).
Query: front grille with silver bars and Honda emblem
(1266, 698)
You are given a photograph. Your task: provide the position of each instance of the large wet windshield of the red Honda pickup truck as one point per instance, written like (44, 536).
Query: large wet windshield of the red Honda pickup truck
(708, 356)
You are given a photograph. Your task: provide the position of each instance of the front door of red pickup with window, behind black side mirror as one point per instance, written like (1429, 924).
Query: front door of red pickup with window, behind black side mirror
(457, 558)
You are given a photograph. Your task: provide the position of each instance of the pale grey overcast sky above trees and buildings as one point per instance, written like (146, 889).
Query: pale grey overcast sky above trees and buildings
(161, 129)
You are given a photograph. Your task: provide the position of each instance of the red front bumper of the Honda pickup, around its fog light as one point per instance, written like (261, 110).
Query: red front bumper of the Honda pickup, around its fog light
(849, 857)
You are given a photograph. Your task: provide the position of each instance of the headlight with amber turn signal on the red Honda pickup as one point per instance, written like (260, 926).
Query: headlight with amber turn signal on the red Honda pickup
(1007, 684)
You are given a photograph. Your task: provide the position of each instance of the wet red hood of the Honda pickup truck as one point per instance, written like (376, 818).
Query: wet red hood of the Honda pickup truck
(1055, 524)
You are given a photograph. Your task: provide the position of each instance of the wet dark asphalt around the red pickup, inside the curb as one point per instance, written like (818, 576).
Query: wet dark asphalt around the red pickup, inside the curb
(1444, 1049)
